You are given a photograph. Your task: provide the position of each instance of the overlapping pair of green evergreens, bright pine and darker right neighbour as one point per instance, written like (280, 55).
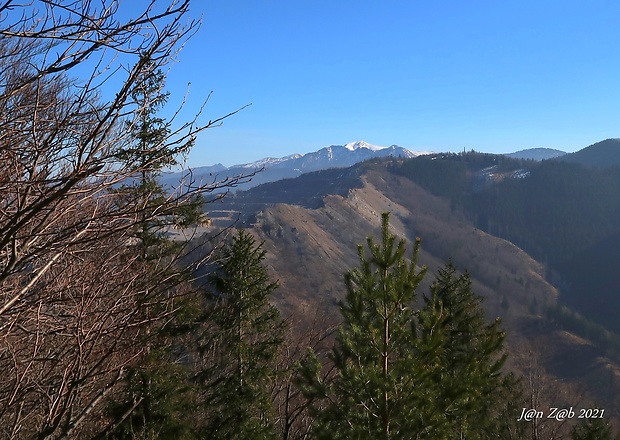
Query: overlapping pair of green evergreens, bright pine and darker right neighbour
(402, 372)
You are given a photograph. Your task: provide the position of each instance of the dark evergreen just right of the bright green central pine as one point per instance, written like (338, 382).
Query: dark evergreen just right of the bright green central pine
(473, 390)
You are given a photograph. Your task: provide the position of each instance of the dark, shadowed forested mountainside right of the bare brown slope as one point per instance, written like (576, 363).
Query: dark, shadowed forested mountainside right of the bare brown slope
(565, 214)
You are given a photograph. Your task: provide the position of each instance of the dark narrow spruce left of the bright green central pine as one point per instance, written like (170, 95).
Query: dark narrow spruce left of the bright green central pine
(239, 349)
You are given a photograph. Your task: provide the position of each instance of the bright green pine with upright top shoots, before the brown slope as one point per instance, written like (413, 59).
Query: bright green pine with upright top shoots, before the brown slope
(381, 388)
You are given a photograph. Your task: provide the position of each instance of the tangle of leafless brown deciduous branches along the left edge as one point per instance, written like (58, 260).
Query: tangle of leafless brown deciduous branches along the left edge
(72, 287)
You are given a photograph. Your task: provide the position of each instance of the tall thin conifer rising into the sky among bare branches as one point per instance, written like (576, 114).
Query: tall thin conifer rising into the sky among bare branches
(154, 400)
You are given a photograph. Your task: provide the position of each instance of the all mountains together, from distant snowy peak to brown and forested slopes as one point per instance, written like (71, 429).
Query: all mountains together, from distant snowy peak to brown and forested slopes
(539, 238)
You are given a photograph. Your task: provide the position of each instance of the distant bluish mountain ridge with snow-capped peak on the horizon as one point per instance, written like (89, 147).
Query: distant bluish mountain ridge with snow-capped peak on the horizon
(273, 169)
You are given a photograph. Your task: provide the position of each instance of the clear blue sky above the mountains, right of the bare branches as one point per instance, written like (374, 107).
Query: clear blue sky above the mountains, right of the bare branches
(494, 76)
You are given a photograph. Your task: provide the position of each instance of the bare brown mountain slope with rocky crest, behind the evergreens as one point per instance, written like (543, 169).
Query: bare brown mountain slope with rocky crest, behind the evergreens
(312, 240)
